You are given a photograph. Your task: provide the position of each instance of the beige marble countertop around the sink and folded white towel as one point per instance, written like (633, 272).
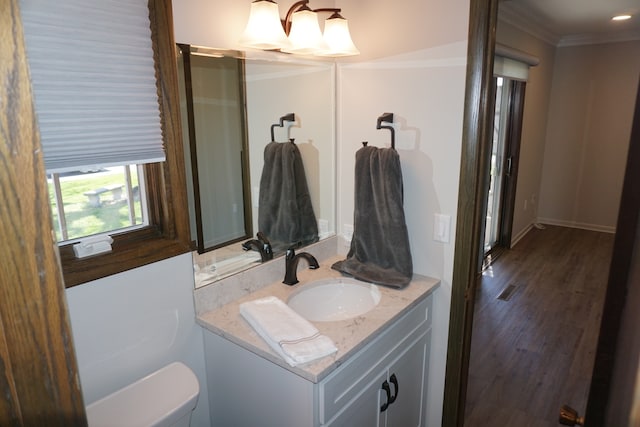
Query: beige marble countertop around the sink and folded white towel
(349, 336)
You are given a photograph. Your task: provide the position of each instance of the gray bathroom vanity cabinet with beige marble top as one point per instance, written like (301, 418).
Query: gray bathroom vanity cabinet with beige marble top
(377, 377)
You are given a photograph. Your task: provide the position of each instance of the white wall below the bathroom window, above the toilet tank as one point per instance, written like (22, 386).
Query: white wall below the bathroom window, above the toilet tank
(130, 324)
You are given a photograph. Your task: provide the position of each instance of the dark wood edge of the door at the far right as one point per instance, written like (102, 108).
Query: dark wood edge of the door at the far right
(623, 249)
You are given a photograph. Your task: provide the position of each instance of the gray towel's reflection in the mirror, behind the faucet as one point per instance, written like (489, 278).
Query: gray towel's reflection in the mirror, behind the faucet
(285, 213)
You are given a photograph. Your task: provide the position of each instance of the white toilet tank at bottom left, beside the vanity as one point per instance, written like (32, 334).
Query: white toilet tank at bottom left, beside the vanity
(164, 398)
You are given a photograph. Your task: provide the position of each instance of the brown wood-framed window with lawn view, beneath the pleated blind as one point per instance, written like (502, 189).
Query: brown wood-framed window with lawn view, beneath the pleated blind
(165, 230)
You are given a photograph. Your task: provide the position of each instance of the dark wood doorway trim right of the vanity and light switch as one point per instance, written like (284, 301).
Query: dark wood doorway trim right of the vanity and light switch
(477, 129)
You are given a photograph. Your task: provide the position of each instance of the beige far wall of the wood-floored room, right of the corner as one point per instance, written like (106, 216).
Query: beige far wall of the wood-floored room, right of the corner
(589, 127)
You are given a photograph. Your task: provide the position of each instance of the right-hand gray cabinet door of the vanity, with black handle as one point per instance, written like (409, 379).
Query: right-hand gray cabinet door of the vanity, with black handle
(409, 373)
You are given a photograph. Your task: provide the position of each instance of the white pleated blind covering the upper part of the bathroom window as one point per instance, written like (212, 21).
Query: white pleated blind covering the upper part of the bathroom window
(94, 84)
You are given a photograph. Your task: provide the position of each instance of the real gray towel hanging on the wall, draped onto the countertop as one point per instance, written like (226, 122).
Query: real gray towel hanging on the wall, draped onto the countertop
(379, 250)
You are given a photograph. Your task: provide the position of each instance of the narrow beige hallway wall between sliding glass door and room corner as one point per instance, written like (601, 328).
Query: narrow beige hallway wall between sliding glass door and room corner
(534, 123)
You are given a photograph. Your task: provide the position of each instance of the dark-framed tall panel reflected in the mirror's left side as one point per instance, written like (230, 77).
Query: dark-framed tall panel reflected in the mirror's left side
(212, 107)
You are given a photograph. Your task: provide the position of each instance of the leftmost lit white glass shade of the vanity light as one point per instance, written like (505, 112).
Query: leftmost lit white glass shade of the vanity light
(264, 29)
